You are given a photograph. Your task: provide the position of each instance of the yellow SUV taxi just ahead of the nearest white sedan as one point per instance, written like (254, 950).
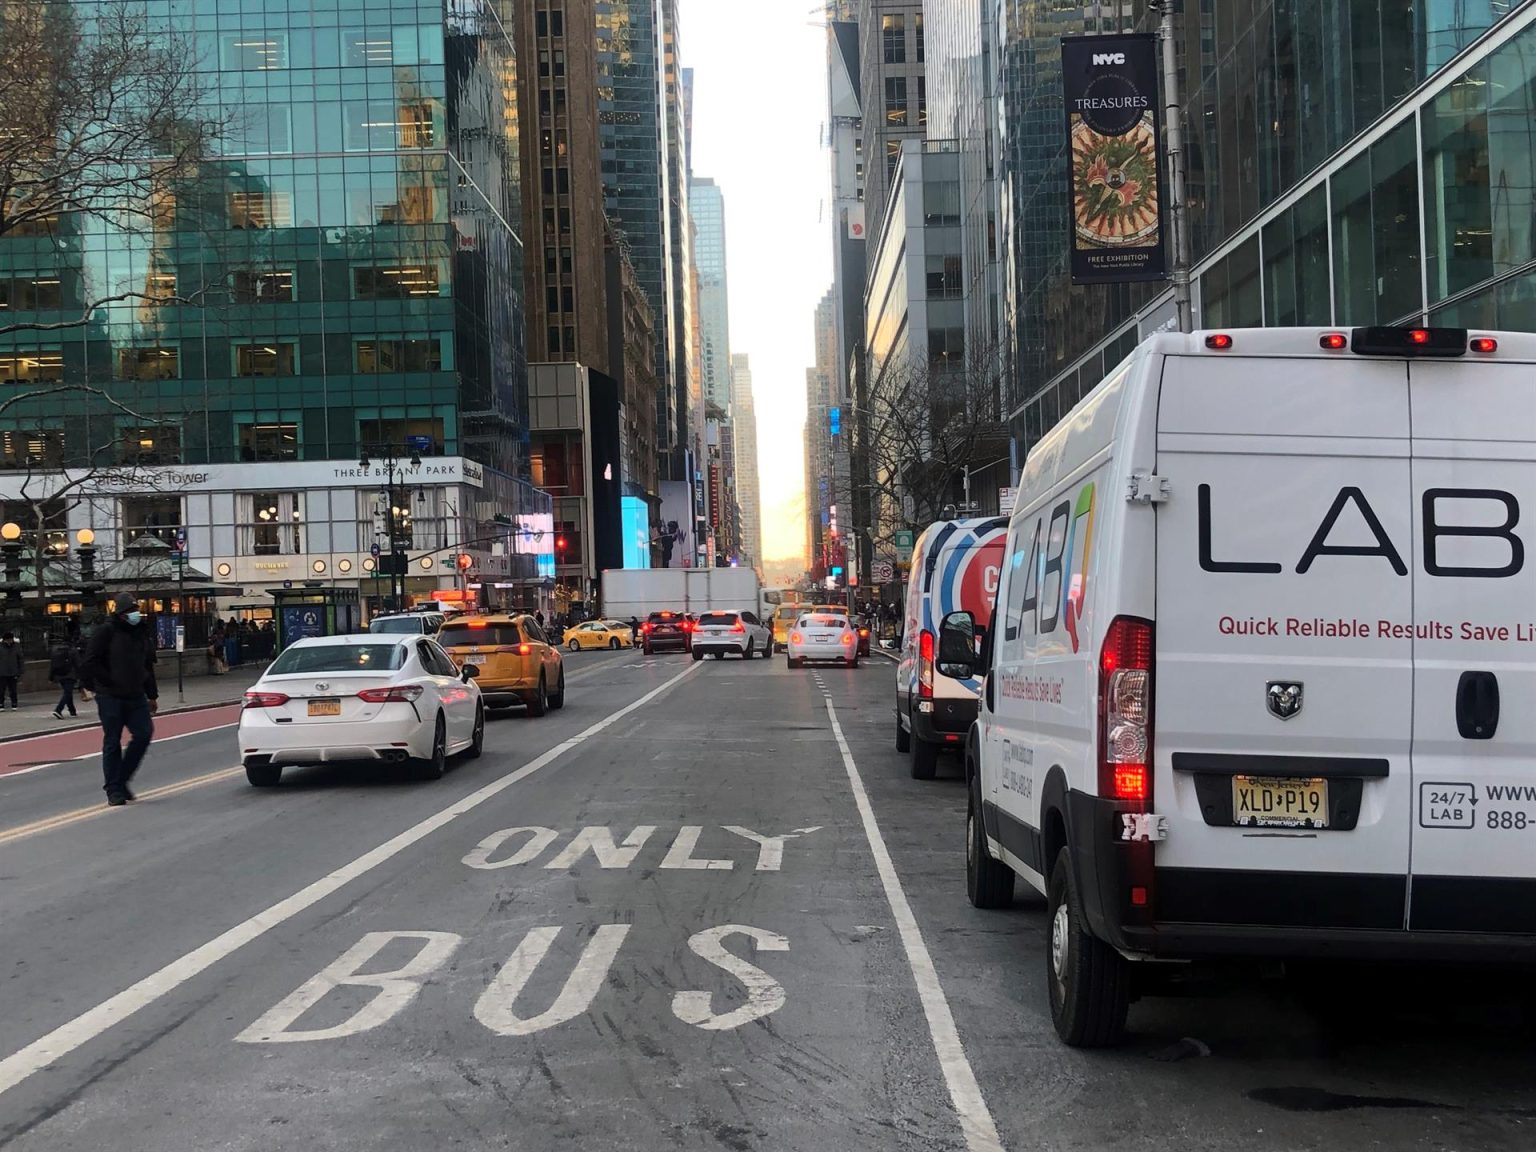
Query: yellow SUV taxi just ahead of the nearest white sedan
(515, 658)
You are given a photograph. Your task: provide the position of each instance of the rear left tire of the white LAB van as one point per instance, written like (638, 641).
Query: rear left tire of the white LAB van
(1088, 981)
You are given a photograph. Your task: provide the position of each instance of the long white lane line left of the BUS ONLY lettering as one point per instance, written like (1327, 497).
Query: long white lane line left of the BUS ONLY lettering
(119, 1008)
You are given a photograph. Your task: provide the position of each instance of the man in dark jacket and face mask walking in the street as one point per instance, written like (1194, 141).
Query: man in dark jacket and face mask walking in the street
(121, 670)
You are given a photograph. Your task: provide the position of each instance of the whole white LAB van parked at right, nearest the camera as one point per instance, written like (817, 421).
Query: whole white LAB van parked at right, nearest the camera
(1265, 594)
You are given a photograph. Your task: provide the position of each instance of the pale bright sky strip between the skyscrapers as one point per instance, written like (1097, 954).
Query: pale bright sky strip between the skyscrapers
(760, 108)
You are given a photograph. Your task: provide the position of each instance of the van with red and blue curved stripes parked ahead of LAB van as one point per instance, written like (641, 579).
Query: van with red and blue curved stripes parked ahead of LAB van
(956, 566)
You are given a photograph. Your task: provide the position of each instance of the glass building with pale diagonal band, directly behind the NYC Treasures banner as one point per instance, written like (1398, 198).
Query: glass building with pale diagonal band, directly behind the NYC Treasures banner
(1351, 162)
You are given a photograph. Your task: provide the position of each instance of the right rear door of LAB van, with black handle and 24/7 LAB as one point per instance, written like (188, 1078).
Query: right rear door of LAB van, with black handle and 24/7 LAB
(1475, 670)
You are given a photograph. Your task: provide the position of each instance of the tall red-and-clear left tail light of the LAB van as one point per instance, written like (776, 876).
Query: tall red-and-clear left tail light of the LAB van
(1125, 715)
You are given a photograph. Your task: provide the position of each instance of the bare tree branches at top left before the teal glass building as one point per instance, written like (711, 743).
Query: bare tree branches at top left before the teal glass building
(102, 118)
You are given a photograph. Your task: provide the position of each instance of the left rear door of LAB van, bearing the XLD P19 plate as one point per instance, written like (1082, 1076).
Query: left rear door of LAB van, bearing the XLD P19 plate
(1283, 707)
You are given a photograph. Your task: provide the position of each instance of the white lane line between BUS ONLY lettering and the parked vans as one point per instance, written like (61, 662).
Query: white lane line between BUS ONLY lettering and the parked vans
(965, 1093)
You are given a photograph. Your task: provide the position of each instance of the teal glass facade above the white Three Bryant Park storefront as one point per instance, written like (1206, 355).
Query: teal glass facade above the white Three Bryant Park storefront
(348, 263)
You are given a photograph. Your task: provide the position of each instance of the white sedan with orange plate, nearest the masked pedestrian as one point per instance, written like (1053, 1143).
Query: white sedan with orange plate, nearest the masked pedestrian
(377, 698)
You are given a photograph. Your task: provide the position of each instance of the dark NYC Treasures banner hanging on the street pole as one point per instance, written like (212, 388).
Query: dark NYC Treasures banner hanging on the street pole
(1113, 121)
